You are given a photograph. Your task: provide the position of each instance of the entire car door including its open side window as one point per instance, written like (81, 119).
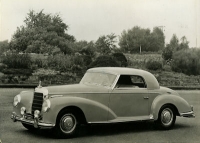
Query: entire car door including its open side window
(129, 99)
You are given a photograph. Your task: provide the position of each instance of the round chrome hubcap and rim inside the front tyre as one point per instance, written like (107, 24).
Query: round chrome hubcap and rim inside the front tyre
(68, 123)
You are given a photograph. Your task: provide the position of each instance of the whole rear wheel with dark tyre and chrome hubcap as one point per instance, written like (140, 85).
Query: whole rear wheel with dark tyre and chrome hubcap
(167, 117)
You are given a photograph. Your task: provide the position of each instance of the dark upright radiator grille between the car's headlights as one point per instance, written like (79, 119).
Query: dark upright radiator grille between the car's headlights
(37, 102)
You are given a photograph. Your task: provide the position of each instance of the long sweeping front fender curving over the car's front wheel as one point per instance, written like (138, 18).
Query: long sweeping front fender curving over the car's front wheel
(93, 111)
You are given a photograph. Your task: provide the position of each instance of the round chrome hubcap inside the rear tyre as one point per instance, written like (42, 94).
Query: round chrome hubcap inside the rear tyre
(167, 117)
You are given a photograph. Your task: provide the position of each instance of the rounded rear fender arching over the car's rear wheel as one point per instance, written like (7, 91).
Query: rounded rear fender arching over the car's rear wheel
(180, 103)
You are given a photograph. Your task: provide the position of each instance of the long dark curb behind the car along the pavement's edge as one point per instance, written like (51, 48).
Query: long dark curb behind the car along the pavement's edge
(35, 85)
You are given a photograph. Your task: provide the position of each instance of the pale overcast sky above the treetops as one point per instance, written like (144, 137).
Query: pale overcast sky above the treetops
(90, 19)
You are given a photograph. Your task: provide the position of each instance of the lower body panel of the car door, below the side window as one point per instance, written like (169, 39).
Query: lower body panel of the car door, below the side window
(129, 102)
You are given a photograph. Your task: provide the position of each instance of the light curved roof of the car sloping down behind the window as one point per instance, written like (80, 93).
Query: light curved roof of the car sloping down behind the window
(149, 78)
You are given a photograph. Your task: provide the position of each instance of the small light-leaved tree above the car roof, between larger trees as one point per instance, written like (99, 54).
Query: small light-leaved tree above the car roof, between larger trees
(105, 44)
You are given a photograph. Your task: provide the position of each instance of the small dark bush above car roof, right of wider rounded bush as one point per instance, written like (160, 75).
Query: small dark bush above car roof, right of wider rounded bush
(121, 59)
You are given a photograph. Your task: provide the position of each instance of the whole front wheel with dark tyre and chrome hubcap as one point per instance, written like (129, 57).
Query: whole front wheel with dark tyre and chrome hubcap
(66, 125)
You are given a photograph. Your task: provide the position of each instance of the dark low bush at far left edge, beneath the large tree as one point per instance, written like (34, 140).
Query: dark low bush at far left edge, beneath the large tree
(15, 60)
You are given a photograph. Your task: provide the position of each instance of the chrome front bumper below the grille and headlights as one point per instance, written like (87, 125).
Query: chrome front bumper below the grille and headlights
(35, 122)
